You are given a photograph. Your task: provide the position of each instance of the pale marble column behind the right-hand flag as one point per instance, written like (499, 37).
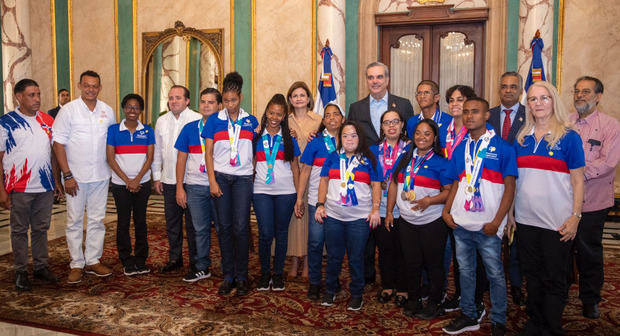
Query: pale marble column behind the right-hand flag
(535, 15)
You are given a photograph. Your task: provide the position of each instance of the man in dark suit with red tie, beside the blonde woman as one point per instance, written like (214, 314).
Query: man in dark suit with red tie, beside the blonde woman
(507, 119)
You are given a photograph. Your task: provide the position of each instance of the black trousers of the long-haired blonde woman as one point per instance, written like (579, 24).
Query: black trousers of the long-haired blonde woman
(544, 262)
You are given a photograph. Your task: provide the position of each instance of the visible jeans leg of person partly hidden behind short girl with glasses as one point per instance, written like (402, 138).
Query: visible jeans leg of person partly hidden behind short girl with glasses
(316, 241)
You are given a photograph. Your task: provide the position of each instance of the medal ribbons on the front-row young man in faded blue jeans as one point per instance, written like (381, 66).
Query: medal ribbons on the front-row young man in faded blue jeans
(473, 168)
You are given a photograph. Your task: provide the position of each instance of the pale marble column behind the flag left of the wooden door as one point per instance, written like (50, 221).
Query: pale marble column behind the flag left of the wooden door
(331, 25)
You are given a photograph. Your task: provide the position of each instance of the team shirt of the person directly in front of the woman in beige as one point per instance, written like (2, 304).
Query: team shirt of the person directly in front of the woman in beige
(314, 155)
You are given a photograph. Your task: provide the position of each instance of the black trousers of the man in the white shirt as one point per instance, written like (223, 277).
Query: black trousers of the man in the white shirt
(174, 227)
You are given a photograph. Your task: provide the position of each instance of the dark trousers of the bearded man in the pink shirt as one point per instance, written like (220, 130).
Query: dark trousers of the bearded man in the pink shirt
(589, 251)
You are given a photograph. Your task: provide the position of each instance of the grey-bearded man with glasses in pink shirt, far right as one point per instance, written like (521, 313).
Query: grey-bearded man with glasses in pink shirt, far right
(600, 134)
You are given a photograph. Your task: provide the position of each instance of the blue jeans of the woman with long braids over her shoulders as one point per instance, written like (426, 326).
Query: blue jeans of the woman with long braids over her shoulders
(273, 214)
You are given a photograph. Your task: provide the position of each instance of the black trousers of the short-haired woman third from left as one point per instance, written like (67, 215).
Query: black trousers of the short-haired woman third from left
(126, 204)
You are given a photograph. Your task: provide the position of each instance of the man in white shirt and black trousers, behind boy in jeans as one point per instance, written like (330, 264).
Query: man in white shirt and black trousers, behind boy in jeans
(167, 130)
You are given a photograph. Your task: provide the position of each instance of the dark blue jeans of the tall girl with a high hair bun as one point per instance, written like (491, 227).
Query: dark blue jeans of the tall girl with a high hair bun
(233, 214)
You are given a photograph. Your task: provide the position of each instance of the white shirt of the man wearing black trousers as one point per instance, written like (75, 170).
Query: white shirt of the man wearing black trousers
(167, 130)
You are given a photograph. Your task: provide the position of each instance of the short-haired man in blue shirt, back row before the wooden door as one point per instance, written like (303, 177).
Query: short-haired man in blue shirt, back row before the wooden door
(427, 95)
